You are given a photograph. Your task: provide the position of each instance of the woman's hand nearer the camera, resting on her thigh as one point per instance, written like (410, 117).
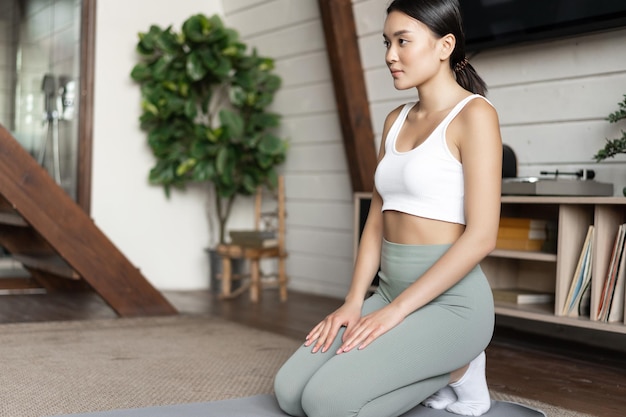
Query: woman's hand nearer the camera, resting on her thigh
(370, 327)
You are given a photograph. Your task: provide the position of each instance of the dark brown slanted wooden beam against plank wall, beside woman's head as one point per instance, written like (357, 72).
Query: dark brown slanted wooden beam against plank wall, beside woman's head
(350, 91)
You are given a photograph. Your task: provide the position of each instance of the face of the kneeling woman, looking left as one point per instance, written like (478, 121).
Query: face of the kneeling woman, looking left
(413, 51)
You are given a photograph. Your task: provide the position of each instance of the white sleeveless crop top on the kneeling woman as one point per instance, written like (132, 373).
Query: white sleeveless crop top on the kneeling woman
(426, 181)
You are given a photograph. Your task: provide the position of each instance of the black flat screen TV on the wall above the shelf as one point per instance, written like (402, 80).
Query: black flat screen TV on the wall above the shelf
(495, 23)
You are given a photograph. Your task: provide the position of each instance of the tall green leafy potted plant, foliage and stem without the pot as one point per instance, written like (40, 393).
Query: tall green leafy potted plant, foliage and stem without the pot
(205, 101)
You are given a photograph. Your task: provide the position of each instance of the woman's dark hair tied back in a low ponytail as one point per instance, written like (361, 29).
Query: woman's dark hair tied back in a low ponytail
(443, 17)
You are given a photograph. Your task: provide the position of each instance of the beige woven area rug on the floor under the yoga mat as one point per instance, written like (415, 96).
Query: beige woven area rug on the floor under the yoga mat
(97, 365)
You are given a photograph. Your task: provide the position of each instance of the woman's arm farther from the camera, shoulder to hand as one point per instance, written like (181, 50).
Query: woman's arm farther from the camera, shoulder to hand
(365, 268)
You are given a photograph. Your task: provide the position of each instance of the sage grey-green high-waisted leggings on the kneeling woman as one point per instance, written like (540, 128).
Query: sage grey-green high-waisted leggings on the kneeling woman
(405, 365)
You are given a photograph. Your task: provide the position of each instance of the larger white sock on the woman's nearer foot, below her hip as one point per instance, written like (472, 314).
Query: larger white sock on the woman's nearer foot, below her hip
(471, 390)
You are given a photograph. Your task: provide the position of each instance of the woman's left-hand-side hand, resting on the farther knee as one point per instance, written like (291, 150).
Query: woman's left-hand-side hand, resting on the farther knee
(325, 332)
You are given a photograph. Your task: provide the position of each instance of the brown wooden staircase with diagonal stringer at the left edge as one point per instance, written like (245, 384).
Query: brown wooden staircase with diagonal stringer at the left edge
(58, 243)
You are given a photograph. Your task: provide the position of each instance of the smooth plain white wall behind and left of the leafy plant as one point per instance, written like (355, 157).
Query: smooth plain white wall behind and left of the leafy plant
(164, 239)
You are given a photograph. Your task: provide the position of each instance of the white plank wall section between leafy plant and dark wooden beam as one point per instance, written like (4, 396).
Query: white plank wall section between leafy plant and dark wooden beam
(318, 190)
